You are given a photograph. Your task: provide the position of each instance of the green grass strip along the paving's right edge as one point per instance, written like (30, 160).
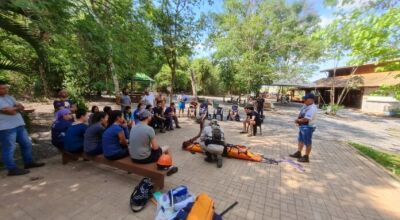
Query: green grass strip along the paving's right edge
(390, 161)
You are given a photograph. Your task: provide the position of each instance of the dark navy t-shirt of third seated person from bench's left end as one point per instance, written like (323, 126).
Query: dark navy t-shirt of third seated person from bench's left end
(93, 137)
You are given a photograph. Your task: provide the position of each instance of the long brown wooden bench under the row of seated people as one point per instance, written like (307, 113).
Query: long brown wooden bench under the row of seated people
(147, 170)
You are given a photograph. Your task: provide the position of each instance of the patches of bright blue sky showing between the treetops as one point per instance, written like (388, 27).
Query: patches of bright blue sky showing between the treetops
(326, 16)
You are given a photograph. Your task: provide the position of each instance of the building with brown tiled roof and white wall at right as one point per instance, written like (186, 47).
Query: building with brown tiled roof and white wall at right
(363, 80)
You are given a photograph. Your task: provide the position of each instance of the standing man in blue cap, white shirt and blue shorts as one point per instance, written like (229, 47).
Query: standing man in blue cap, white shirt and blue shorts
(306, 123)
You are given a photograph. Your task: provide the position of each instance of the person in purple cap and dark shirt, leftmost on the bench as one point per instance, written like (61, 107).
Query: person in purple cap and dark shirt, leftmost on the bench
(60, 127)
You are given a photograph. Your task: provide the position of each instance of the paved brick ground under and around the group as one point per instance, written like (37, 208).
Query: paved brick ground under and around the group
(337, 184)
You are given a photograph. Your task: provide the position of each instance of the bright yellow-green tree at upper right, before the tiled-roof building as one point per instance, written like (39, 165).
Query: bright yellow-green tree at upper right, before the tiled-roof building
(365, 34)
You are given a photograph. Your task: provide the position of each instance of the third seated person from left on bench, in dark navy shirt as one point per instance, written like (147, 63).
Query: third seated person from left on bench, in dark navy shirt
(92, 142)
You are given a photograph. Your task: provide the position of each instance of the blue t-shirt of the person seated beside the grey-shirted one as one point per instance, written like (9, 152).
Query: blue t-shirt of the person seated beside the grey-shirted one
(111, 144)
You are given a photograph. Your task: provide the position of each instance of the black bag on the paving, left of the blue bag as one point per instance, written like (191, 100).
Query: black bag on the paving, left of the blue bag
(141, 194)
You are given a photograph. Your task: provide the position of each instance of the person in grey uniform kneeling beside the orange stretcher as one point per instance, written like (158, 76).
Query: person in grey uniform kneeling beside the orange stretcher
(213, 142)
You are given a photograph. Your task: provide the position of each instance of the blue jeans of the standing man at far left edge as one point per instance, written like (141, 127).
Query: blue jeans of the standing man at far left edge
(8, 138)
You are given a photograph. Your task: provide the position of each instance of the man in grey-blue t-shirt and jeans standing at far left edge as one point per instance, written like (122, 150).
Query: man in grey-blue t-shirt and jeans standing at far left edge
(12, 129)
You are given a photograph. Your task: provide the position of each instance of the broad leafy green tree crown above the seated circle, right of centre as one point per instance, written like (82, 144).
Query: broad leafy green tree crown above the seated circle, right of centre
(265, 40)
